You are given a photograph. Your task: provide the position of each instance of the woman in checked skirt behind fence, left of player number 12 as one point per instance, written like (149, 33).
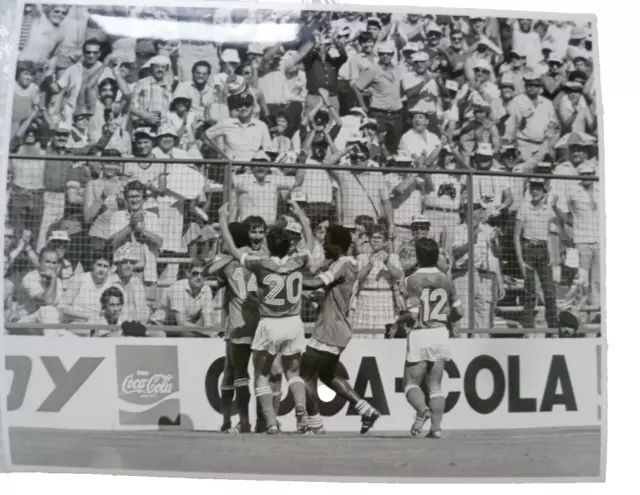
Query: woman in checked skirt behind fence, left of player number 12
(378, 273)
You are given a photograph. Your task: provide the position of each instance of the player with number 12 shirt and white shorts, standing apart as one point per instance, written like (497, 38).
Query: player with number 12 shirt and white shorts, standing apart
(432, 309)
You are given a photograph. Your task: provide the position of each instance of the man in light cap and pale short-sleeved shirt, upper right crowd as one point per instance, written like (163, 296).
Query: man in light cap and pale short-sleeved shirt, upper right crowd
(533, 122)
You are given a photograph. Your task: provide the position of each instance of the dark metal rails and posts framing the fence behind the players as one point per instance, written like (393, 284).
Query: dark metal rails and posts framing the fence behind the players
(227, 174)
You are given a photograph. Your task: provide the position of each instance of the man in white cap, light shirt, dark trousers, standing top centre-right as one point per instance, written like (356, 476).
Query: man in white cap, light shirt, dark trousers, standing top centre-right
(384, 83)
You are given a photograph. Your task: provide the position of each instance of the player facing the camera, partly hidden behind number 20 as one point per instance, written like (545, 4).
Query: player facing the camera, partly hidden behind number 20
(241, 317)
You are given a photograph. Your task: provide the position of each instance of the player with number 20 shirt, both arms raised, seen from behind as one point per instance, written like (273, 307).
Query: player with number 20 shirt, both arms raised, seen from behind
(280, 329)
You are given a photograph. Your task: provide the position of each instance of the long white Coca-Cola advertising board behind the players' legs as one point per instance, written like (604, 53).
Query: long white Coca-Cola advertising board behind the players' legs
(150, 384)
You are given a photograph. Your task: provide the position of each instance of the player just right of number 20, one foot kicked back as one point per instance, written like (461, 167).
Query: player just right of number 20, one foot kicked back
(332, 331)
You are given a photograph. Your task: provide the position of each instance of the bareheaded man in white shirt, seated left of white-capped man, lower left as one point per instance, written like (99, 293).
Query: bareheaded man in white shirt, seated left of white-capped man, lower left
(81, 300)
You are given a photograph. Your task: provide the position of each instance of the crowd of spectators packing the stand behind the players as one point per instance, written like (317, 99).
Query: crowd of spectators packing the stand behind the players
(112, 241)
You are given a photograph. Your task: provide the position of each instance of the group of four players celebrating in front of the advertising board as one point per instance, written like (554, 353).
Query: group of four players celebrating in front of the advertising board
(262, 312)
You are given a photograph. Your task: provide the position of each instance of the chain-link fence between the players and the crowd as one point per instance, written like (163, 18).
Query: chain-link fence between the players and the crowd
(112, 239)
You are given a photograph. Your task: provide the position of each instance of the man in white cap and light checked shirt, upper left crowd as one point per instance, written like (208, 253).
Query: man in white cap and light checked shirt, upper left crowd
(152, 95)
